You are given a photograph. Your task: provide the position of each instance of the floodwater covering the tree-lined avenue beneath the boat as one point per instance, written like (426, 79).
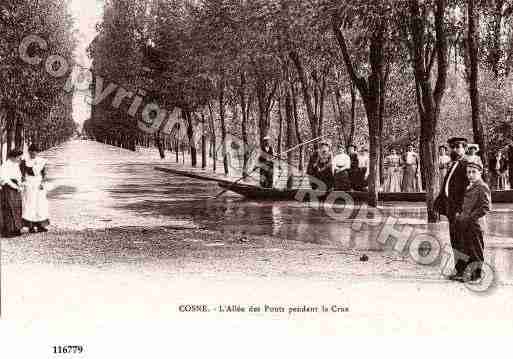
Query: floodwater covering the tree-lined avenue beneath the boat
(114, 183)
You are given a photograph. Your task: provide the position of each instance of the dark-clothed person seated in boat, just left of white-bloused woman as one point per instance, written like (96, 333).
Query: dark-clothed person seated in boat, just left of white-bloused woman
(320, 166)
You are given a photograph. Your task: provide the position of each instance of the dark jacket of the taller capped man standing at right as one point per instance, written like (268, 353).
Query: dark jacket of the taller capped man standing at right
(453, 203)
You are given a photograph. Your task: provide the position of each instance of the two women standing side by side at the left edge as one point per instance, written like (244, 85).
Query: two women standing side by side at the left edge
(23, 193)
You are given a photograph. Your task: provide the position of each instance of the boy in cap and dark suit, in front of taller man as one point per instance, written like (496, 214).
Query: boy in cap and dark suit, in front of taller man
(476, 204)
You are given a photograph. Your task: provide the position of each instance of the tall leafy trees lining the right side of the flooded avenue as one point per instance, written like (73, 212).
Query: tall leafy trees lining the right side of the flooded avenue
(372, 72)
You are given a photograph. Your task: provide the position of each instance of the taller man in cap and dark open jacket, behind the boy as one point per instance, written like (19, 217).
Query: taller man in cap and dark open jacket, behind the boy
(450, 200)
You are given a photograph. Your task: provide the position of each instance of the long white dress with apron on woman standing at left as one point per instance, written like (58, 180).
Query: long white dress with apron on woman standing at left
(35, 203)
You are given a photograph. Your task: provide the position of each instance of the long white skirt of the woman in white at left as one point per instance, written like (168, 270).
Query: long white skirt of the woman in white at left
(35, 203)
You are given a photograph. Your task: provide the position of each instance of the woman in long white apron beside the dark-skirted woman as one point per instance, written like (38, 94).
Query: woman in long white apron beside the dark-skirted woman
(35, 203)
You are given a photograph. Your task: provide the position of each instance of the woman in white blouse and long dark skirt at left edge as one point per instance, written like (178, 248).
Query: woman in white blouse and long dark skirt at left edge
(11, 195)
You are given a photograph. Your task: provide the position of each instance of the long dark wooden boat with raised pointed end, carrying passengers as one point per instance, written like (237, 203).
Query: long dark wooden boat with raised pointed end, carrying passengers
(258, 193)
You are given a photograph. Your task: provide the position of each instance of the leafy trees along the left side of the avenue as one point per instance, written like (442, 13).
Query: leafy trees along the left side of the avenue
(34, 107)
